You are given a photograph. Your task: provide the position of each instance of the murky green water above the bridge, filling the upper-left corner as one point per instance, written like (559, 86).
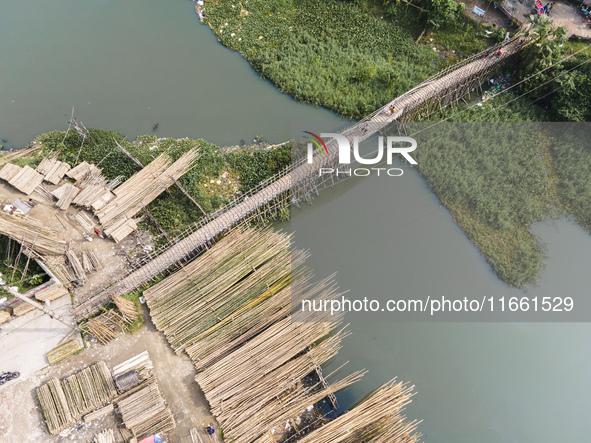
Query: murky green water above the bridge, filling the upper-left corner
(126, 65)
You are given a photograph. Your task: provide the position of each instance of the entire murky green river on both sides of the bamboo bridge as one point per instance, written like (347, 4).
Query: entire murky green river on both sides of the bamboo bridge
(127, 65)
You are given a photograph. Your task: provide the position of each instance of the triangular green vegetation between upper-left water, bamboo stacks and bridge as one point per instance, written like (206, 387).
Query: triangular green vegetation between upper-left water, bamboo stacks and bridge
(245, 168)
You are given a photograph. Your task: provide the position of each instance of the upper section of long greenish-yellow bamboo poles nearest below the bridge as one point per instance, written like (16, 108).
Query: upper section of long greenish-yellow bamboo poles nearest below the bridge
(219, 284)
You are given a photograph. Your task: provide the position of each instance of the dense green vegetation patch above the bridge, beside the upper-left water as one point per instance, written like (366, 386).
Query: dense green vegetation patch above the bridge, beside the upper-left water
(348, 56)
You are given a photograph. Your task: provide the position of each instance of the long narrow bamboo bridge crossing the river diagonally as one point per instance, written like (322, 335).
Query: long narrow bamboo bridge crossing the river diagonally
(437, 92)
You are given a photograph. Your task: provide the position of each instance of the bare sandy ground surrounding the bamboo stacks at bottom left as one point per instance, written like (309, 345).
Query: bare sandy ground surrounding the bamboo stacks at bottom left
(20, 418)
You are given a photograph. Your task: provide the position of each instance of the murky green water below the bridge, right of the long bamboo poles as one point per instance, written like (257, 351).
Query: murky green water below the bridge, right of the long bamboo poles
(475, 382)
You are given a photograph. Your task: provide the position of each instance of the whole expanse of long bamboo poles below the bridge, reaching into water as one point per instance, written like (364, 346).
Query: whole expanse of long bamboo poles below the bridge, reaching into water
(230, 311)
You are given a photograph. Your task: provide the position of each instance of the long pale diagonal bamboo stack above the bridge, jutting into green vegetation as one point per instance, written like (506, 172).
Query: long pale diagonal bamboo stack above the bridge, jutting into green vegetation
(142, 188)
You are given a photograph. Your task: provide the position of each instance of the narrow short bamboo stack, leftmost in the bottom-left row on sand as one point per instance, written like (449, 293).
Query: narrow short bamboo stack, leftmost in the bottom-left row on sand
(54, 407)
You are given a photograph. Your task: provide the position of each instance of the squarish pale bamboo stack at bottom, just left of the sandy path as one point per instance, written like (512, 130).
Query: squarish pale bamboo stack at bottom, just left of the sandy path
(146, 412)
